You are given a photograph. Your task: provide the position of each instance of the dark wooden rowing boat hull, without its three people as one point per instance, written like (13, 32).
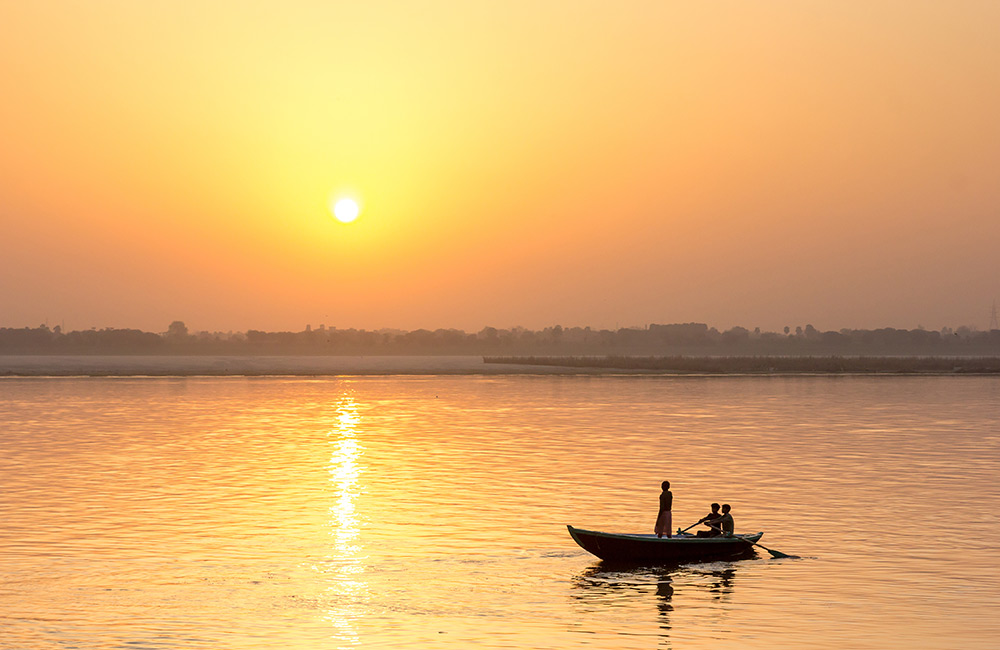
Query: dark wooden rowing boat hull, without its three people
(650, 549)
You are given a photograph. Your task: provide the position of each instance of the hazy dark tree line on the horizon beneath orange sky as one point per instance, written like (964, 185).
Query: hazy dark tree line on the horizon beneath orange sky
(673, 339)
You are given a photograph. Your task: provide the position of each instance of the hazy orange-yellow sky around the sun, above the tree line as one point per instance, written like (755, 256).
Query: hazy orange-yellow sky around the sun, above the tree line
(517, 163)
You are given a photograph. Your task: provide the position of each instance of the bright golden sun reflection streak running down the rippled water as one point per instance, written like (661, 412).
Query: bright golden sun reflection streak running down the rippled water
(344, 568)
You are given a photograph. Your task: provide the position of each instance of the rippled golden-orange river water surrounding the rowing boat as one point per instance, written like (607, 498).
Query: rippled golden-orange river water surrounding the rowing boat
(430, 511)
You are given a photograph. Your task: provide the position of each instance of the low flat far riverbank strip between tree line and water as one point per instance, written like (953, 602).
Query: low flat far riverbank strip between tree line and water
(14, 366)
